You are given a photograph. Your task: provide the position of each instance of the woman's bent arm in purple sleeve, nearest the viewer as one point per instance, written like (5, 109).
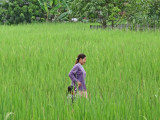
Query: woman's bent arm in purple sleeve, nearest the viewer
(73, 72)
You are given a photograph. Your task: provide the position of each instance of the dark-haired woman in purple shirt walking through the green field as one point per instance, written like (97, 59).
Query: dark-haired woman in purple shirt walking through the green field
(78, 74)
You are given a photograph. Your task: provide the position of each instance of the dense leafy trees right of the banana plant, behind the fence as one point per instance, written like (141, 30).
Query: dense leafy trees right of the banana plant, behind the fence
(115, 11)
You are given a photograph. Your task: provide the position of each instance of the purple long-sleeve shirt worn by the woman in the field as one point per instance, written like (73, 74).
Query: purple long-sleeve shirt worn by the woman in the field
(78, 74)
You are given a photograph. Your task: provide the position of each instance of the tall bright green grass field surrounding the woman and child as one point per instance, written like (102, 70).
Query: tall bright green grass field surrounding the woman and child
(123, 73)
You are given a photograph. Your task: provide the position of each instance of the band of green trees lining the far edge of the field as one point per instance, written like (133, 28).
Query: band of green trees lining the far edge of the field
(103, 11)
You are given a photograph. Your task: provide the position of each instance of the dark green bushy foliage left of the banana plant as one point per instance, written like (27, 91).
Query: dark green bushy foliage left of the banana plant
(19, 11)
